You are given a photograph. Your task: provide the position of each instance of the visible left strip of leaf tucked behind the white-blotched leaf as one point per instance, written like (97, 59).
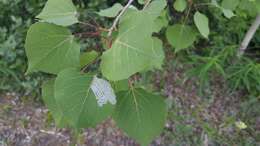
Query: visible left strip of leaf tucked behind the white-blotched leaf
(49, 100)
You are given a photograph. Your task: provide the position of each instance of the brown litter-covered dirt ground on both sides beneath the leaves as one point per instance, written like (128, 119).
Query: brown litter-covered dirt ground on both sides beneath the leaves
(28, 123)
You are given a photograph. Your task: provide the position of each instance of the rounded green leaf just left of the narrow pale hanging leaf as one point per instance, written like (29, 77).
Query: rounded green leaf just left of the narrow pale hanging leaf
(180, 36)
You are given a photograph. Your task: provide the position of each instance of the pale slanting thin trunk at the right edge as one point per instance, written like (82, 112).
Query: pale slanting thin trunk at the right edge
(249, 35)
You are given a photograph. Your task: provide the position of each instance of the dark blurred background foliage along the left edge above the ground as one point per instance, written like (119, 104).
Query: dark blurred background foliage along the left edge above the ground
(15, 18)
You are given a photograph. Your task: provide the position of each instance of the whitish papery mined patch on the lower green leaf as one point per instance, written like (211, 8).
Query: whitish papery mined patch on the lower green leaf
(103, 91)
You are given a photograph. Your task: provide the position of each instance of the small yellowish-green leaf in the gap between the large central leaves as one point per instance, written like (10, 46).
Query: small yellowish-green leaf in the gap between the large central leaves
(87, 57)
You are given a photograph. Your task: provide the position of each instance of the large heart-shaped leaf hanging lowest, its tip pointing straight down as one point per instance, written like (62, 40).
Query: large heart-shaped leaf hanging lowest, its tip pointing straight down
(140, 114)
